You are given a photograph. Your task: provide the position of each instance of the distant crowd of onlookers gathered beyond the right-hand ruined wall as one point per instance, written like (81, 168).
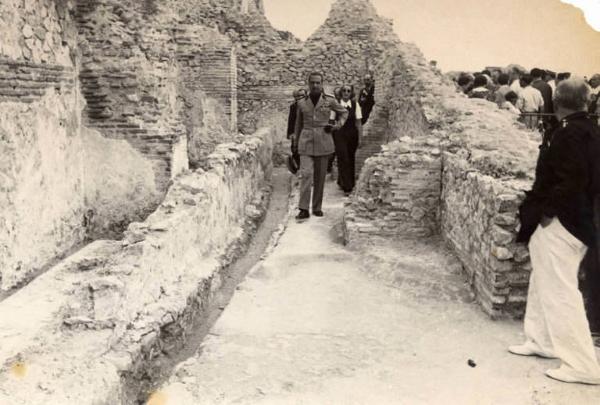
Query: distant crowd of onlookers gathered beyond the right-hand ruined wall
(527, 94)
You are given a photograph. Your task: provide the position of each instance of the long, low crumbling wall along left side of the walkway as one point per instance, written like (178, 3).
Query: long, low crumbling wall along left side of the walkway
(115, 306)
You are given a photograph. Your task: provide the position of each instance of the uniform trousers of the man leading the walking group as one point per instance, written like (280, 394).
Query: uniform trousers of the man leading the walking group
(313, 170)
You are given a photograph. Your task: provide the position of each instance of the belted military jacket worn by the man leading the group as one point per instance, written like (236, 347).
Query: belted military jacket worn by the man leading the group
(310, 121)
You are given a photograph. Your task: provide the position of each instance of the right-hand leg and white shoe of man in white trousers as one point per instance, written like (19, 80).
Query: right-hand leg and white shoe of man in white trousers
(562, 305)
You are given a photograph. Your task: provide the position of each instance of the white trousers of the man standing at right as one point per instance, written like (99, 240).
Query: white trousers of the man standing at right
(555, 321)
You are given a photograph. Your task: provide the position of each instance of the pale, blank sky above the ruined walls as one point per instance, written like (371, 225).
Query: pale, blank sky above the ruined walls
(472, 34)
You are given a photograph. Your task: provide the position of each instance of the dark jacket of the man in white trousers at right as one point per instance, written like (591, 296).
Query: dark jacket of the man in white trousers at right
(567, 179)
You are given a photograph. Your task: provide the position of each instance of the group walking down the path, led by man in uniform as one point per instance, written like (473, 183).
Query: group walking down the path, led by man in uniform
(323, 127)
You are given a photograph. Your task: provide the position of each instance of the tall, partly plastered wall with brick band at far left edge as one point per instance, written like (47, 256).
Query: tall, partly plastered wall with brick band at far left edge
(41, 183)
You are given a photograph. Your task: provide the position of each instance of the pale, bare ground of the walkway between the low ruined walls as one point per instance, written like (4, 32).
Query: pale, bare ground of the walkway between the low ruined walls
(317, 324)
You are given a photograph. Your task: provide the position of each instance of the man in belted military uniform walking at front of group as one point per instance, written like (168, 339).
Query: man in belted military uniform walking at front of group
(314, 142)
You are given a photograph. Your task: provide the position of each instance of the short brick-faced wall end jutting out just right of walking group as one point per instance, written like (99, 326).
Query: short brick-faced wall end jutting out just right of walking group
(397, 193)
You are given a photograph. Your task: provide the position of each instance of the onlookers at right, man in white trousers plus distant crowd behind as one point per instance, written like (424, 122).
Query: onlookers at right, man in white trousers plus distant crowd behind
(560, 216)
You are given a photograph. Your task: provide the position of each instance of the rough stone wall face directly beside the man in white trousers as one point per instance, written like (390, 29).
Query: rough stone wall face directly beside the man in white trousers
(479, 221)
